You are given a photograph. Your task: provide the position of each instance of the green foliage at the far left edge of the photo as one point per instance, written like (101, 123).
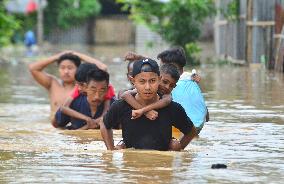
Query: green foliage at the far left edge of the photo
(8, 25)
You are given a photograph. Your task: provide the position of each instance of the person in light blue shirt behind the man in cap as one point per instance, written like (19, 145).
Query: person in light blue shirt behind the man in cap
(187, 92)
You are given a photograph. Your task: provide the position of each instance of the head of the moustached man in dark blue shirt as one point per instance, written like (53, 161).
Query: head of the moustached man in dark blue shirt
(97, 85)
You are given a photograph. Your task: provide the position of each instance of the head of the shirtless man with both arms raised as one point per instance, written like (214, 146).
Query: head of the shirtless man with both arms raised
(68, 64)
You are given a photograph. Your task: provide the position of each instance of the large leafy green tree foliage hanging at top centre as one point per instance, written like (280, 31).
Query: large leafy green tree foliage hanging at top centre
(177, 21)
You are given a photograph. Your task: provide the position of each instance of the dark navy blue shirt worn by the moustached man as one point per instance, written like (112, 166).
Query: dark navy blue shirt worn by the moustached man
(80, 104)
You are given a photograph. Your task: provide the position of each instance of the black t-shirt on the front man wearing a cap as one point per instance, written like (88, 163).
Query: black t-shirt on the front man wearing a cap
(142, 133)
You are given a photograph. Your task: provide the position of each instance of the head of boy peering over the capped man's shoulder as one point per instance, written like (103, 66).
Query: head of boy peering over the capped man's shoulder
(169, 78)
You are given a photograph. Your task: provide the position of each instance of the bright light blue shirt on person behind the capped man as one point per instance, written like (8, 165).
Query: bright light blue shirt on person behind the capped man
(188, 94)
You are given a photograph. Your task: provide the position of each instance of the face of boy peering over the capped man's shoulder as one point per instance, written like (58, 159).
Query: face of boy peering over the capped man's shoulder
(167, 84)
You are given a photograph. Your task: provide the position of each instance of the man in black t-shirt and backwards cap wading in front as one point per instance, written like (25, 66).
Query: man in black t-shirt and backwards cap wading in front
(142, 133)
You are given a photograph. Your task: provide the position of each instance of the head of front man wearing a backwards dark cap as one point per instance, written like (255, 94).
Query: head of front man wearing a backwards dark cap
(146, 78)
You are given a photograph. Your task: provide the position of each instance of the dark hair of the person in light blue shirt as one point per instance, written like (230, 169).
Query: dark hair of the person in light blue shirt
(174, 55)
